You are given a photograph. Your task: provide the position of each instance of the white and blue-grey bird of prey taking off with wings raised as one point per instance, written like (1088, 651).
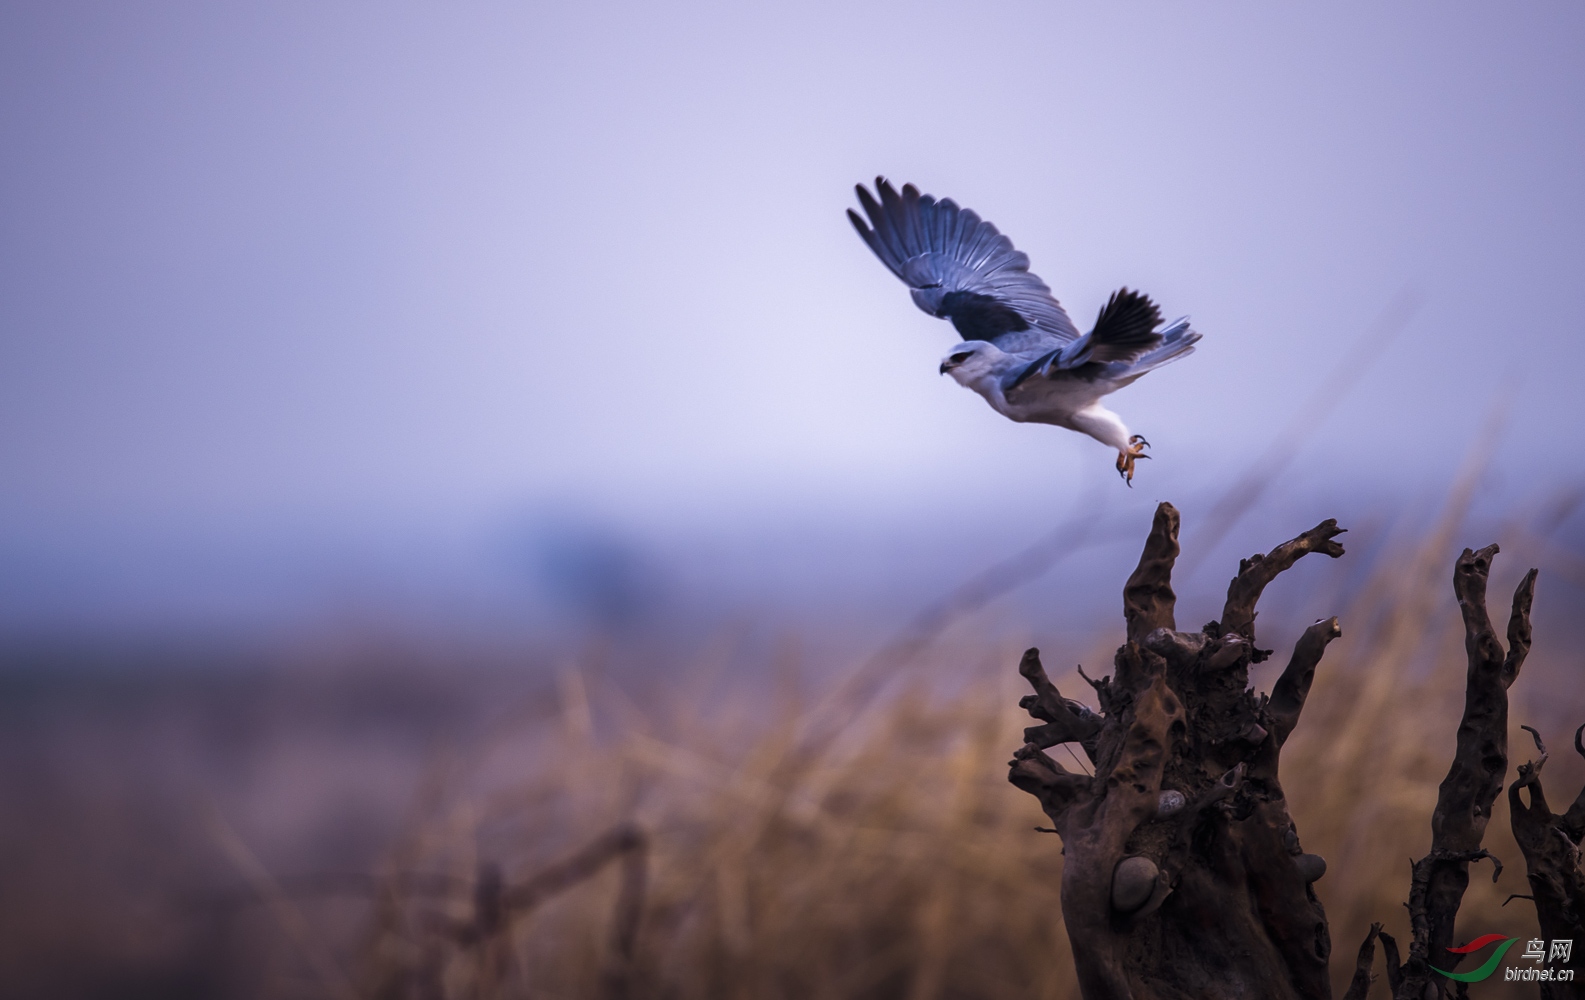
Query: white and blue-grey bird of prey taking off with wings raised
(1020, 351)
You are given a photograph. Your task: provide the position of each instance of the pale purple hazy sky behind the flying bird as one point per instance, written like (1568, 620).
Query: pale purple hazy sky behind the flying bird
(392, 270)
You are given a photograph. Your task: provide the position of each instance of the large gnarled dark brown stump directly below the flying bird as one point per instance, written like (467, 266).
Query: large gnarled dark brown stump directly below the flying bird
(1183, 872)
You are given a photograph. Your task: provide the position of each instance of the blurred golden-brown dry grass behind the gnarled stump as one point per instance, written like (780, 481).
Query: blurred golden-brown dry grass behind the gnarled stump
(869, 845)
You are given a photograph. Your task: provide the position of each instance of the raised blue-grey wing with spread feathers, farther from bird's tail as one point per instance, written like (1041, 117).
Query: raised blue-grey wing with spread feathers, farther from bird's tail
(961, 269)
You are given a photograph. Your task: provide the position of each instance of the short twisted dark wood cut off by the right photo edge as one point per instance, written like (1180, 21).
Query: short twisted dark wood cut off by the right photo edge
(1553, 861)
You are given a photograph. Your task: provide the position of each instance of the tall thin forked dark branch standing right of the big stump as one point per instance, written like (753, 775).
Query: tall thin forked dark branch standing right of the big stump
(1464, 801)
